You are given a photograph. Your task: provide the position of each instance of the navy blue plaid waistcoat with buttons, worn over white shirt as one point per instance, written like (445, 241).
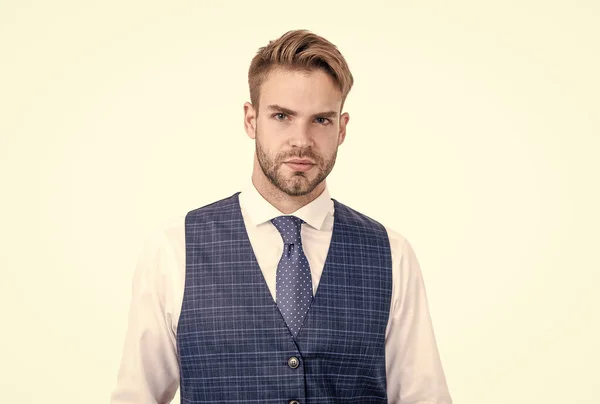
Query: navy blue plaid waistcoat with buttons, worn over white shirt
(232, 341)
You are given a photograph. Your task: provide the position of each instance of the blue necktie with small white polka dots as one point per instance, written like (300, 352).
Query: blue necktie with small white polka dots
(294, 284)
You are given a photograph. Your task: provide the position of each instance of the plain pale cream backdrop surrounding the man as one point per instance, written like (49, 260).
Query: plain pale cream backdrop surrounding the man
(474, 131)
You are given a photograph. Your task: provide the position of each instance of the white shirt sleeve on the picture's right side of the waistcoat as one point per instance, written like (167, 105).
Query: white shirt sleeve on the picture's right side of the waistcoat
(414, 369)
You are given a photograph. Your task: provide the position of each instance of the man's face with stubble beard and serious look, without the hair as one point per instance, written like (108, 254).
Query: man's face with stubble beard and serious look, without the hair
(298, 129)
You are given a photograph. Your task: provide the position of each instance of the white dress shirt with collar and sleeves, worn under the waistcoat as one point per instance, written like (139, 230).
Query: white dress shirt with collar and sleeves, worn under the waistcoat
(149, 371)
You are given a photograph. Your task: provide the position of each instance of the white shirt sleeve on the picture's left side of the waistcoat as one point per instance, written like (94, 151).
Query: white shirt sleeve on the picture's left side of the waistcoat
(149, 369)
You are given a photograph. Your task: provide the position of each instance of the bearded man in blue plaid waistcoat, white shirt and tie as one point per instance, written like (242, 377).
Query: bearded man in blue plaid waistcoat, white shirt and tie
(280, 294)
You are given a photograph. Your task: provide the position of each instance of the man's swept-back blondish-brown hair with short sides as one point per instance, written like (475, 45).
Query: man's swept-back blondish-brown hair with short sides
(299, 50)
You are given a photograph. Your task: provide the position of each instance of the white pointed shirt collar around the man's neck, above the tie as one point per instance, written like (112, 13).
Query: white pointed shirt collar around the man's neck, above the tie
(259, 210)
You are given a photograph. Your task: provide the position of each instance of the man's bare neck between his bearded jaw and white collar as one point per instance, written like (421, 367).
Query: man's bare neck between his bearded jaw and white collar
(285, 203)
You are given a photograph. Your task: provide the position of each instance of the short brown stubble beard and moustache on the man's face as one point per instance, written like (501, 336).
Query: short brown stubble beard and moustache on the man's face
(299, 183)
